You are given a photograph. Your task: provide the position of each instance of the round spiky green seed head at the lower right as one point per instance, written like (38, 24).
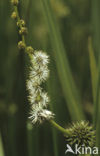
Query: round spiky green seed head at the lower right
(81, 133)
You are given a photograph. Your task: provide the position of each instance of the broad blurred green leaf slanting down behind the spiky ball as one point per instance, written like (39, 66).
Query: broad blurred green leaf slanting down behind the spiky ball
(69, 88)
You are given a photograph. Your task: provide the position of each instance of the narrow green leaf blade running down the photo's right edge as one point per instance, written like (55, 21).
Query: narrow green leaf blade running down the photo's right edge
(96, 44)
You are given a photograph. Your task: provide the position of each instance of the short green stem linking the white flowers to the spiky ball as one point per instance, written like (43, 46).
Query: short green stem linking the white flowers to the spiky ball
(57, 126)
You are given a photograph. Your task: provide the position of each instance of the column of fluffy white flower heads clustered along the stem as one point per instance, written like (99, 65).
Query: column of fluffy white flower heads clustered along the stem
(39, 100)
